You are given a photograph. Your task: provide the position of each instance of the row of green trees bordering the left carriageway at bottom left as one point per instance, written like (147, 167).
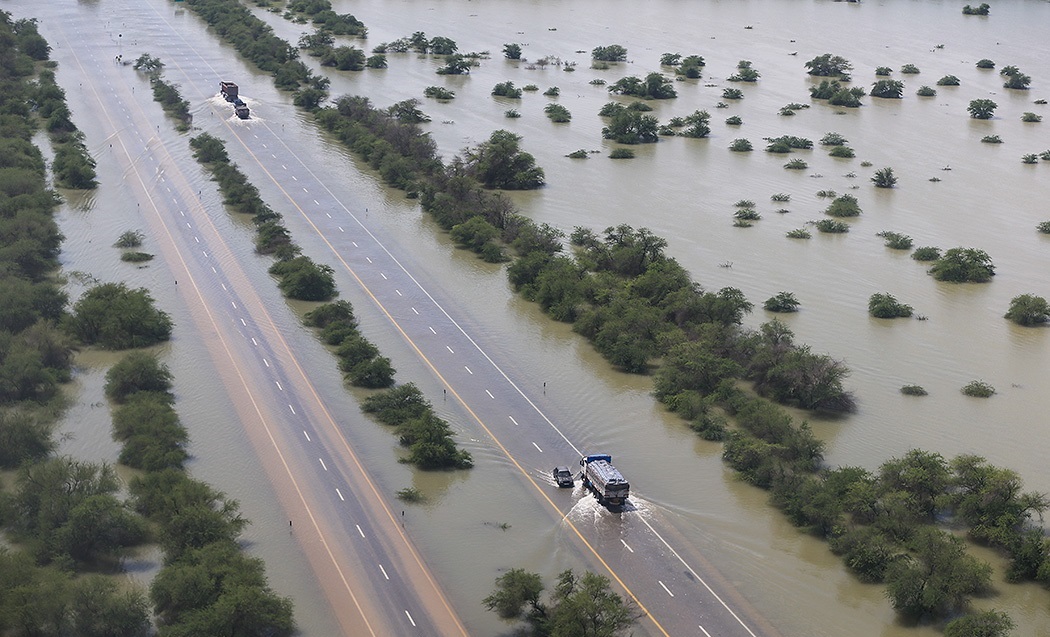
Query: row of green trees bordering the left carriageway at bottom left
(207, 585)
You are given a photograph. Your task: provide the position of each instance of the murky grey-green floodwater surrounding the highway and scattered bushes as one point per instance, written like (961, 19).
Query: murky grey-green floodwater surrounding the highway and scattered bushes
(684, 190)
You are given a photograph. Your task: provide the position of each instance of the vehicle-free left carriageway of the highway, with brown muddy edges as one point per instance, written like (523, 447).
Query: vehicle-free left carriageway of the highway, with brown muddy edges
(377, 583)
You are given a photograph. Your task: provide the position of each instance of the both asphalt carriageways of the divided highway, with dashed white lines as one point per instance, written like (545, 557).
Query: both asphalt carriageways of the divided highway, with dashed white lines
(374, 577)
